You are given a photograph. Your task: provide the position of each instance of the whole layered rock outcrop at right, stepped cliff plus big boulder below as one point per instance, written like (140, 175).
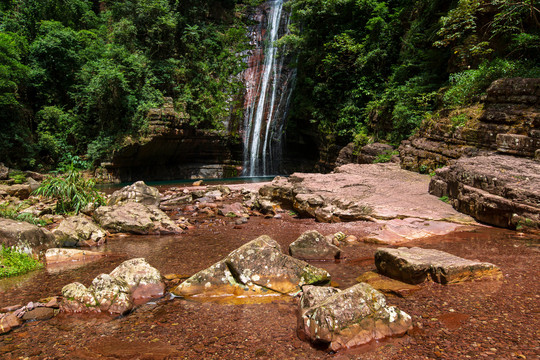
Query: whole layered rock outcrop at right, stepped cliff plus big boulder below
(490, 150)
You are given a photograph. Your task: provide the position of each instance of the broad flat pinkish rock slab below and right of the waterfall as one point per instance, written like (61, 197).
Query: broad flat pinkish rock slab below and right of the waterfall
(361, 192)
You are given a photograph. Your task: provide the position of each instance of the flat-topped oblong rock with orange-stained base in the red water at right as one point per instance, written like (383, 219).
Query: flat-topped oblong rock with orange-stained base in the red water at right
(416, 265)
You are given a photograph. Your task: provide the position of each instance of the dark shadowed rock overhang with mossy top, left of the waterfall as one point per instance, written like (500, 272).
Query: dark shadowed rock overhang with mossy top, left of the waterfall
(175, 150)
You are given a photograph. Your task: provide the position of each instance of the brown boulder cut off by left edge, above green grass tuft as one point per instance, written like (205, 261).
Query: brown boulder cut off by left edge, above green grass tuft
(25, 236)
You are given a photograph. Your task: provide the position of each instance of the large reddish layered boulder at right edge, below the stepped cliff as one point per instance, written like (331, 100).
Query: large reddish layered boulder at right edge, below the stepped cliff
(499, 190)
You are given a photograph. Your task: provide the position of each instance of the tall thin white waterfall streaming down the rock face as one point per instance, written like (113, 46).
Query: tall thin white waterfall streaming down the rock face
(268, 87)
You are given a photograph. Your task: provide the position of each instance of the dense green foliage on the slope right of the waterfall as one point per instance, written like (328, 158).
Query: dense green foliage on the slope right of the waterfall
(372, 68)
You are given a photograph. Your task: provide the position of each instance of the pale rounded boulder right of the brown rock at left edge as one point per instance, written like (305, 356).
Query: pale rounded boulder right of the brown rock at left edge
(79, 231)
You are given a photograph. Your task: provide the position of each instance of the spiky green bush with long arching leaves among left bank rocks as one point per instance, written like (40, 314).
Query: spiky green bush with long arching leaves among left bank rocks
(71, 191)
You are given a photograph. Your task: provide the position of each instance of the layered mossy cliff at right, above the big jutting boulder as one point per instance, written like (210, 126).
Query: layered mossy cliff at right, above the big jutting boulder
(506, 121)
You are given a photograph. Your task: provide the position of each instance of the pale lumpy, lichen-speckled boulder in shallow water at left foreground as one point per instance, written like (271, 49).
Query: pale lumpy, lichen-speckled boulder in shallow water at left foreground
(129, 284)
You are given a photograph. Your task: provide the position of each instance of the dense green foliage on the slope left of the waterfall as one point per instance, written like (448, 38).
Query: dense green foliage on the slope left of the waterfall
(76, 76)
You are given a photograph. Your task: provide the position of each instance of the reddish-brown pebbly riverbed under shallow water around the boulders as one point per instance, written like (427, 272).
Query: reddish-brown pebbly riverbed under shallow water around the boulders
(492, 319)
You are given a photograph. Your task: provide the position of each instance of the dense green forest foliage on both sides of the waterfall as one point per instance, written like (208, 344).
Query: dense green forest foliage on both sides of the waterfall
(77, 76)
